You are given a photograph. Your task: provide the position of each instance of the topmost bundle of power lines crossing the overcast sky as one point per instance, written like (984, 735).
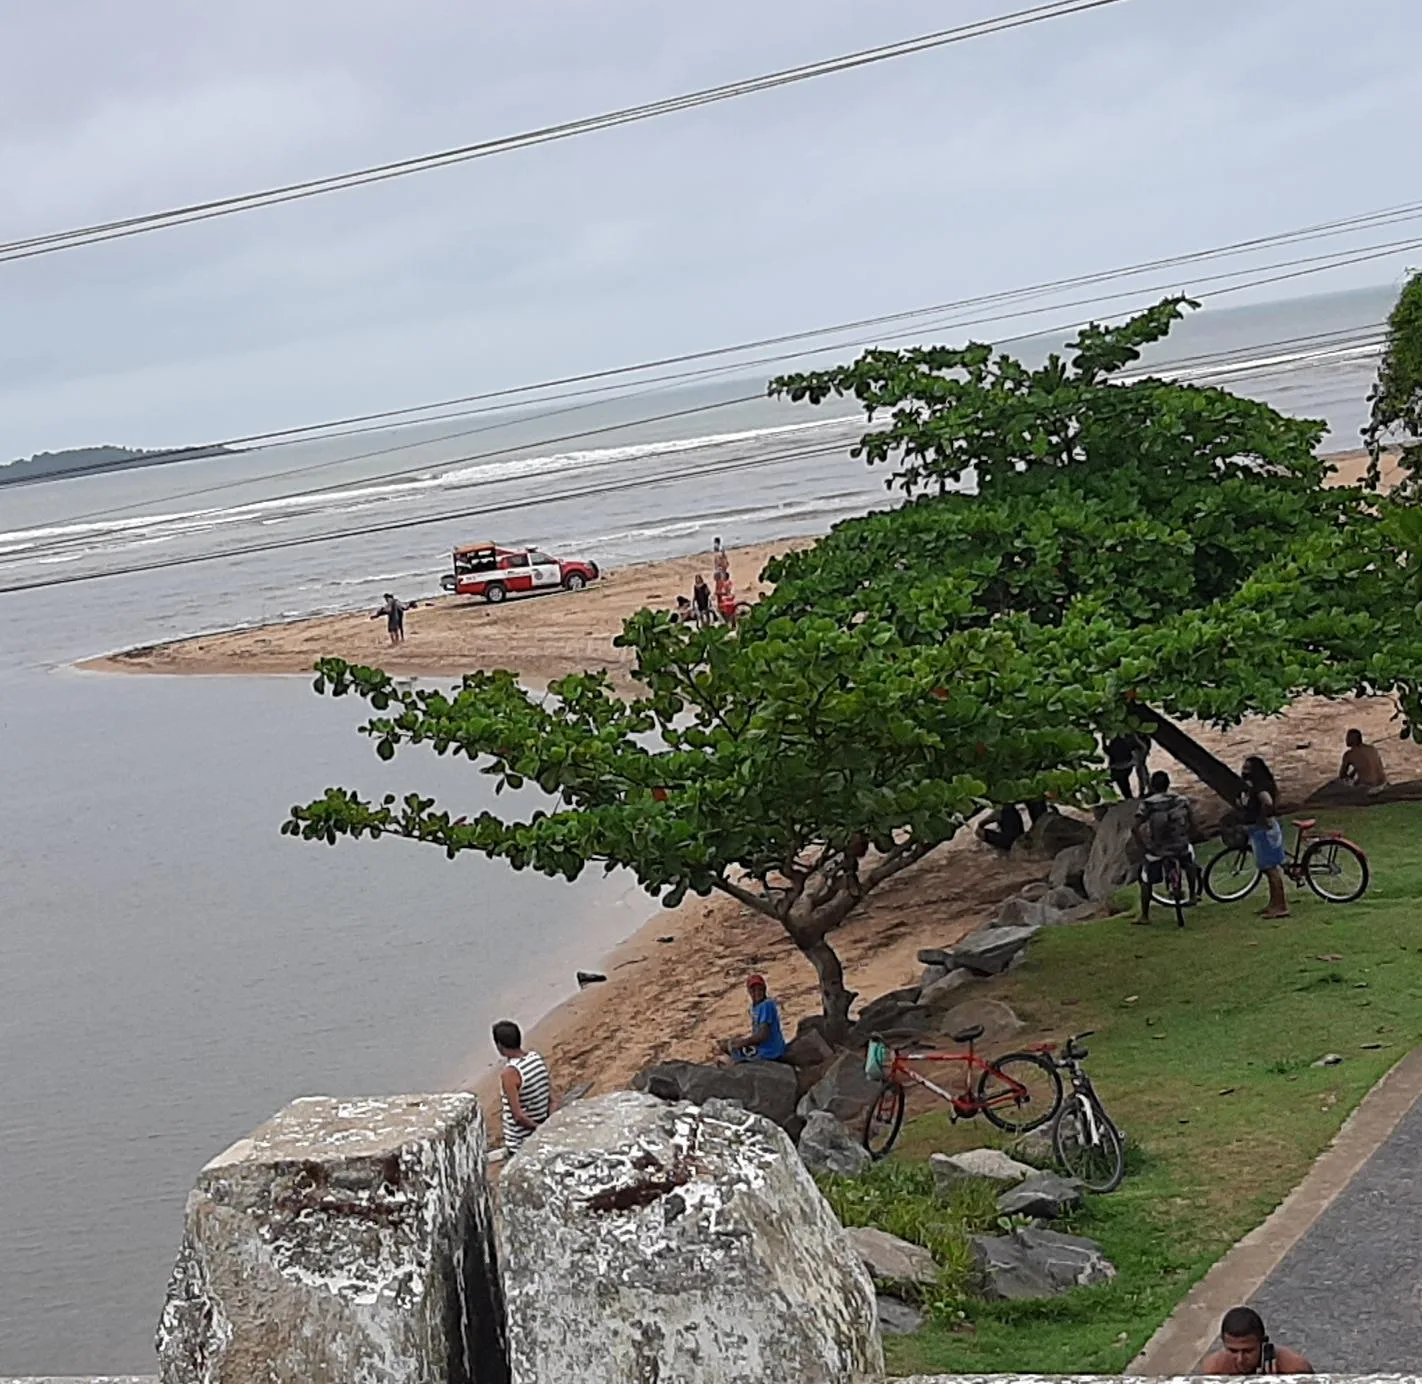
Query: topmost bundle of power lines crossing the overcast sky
(380, 173)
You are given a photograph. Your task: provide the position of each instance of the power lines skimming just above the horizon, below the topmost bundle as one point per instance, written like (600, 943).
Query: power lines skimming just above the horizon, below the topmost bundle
(345, 427)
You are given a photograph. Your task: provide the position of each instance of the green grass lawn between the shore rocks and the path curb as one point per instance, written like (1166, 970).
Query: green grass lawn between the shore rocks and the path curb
(1204, 1050)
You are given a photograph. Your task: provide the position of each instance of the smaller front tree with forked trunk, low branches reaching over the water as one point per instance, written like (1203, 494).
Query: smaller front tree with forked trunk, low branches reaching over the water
(796, 772)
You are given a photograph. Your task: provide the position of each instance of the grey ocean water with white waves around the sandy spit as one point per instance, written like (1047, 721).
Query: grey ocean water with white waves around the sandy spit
(173, 971)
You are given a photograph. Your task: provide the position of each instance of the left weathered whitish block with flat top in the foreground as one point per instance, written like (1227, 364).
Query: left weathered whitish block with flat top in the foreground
(343, 1241)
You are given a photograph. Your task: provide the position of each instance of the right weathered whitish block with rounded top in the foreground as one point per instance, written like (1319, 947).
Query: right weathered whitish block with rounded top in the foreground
(648, 1241)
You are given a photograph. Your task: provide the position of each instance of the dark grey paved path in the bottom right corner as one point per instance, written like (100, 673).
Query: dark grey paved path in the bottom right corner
(1349, 1295)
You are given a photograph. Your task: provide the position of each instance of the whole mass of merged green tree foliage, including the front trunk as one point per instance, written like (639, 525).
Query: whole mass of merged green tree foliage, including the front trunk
(1130, 541)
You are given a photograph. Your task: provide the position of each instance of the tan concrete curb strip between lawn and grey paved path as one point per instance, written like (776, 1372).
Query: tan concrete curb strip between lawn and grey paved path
(1188, 1335)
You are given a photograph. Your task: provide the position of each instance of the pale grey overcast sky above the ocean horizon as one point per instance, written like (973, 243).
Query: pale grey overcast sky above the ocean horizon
(1141, 130)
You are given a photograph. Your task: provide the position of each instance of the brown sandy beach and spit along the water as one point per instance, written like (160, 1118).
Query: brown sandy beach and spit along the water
(678, 985)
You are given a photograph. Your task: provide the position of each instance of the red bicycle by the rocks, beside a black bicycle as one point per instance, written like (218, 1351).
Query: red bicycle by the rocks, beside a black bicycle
(1017, 1093)
